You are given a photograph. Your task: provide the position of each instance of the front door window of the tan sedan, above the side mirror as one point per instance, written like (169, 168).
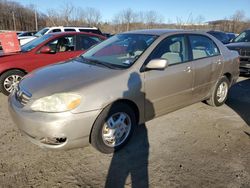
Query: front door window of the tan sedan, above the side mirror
(173, 49)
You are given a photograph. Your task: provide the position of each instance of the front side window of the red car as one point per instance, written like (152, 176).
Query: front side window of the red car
(62, 44)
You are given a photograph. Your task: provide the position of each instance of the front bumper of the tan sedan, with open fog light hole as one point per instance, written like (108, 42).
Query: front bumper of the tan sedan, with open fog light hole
(67, 129)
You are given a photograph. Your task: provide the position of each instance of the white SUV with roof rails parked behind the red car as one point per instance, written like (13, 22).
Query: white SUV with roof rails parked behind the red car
(47, 30)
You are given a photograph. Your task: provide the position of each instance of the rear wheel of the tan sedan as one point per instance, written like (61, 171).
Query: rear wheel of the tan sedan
(215, 99)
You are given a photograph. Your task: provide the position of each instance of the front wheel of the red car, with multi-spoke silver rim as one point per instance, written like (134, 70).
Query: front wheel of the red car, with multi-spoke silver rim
(9, 80)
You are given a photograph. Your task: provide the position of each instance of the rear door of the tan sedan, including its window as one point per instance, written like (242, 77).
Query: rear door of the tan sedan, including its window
(207, 62)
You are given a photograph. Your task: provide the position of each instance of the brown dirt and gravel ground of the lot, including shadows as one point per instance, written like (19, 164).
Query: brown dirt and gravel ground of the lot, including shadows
(197, 146)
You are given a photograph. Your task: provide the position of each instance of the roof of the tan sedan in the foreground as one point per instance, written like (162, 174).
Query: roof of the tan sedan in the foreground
(160, 32)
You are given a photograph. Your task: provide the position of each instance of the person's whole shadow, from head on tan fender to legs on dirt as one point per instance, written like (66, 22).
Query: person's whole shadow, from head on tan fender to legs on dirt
(132, 160)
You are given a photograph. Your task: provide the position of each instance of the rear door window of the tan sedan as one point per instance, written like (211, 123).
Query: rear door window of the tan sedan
(202, 47)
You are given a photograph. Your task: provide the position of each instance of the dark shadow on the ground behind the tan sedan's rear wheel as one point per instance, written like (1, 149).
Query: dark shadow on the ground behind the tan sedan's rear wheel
(239, 99)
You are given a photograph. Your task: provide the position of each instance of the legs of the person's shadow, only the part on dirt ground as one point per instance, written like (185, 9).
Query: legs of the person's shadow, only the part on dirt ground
(131, 161)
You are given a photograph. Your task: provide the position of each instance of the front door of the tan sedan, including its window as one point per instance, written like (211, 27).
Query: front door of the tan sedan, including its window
(171, 88)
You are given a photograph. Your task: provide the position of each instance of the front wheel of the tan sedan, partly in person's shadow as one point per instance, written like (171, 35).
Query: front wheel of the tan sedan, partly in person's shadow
(104, 125)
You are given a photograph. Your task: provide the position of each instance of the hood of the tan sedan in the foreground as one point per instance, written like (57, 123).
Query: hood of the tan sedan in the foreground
(70, 76)
